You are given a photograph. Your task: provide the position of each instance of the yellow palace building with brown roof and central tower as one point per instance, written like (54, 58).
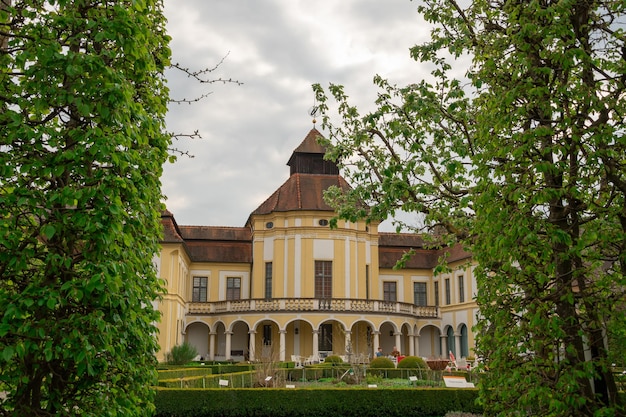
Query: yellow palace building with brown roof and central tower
(288, 285)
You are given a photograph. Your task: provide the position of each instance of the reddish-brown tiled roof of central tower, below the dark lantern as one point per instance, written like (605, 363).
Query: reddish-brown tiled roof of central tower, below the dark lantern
(301, 192)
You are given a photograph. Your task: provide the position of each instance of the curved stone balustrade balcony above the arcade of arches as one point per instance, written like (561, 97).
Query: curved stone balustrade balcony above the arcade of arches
(315, 305)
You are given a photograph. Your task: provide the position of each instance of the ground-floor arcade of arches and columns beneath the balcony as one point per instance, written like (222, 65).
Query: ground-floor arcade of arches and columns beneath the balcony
(233, 333)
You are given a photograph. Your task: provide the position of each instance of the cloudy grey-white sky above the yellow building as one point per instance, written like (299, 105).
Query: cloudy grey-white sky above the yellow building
(277, 49)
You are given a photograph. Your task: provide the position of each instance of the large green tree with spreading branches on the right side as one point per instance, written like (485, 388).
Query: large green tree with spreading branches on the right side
(522, 160)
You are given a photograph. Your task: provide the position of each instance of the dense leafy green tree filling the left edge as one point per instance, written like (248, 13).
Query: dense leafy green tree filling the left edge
(83, 143)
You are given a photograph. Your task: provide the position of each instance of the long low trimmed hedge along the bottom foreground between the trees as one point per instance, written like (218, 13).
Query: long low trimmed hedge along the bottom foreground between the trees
(280, 402)
